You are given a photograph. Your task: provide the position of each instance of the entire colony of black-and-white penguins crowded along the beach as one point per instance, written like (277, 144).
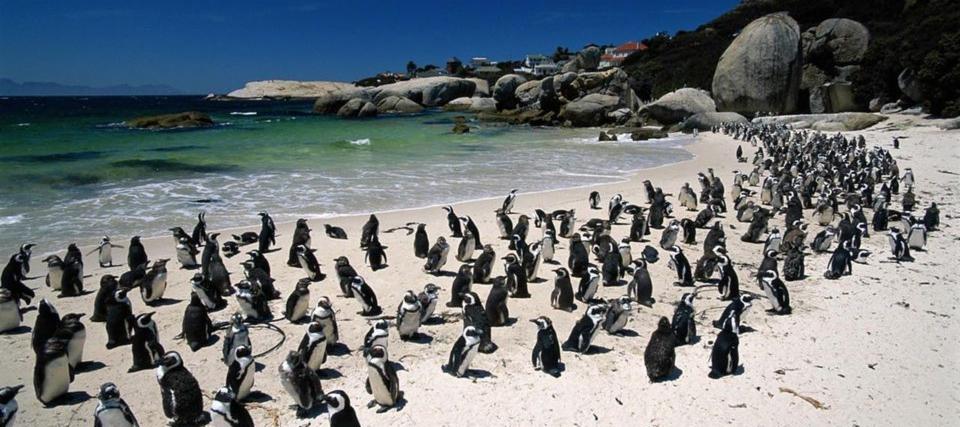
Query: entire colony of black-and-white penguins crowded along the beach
(806, 177)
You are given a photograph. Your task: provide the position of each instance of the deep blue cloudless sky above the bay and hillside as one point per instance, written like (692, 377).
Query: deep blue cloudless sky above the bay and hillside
(205, 46)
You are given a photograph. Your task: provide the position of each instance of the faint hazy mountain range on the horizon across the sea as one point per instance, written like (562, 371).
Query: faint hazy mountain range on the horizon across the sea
(9, 87)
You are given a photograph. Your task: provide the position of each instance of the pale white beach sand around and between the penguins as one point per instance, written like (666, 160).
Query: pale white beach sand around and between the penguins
(875, 348)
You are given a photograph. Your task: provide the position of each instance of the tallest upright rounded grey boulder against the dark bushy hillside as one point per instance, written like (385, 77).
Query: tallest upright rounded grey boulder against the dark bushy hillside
(760, 70)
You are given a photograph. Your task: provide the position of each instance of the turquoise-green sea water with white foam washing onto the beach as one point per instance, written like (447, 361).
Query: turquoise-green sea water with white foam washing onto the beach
(70, 173)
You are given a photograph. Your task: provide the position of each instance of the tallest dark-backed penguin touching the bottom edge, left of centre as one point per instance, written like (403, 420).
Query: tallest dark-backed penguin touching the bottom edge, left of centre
(180, 392)
